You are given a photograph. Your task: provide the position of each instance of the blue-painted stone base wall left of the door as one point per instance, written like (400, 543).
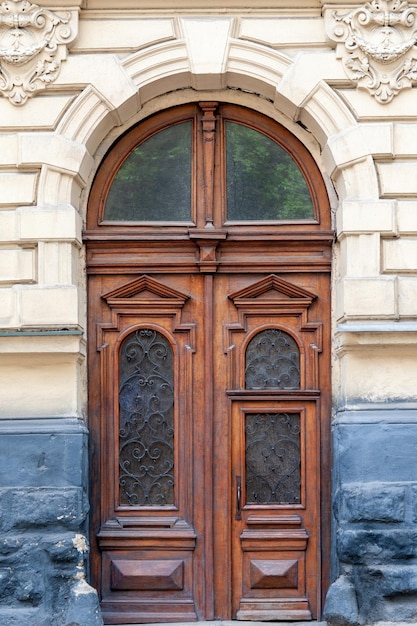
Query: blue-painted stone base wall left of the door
(43, 518)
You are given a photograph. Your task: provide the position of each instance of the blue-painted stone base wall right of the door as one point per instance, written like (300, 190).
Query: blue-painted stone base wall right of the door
(375, 518)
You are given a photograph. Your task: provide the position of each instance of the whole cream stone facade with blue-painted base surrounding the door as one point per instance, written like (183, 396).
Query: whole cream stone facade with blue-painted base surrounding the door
(115, 64)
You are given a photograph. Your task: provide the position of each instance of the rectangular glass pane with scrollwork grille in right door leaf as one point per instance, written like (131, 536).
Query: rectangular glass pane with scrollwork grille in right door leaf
(273, 458)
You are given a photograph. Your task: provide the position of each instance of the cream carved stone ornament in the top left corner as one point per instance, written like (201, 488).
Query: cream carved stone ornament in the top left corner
(33, 43)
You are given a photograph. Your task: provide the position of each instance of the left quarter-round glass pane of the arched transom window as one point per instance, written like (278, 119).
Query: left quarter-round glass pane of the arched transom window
(154, 183)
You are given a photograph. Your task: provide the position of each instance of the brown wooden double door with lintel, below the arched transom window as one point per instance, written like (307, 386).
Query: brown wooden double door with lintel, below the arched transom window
(209, 413)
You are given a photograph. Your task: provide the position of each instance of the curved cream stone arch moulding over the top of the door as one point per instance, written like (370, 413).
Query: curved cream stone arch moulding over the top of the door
(93, 122)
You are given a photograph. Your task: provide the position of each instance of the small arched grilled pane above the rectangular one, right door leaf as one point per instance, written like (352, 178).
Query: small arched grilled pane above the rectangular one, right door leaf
(272, 360)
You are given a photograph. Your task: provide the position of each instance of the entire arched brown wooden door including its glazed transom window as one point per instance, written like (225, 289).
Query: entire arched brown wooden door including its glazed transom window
(208, 254)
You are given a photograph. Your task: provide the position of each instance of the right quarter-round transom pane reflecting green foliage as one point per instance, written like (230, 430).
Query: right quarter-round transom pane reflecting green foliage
(263, 180)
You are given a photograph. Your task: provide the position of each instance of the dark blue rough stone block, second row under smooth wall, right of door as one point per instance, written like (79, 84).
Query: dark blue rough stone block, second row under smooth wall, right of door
(378, 546)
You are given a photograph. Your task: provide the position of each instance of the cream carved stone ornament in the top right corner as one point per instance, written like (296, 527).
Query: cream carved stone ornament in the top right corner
(377, 43)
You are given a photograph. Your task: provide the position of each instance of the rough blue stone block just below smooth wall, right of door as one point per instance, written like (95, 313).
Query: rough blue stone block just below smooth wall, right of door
(379, 502)
